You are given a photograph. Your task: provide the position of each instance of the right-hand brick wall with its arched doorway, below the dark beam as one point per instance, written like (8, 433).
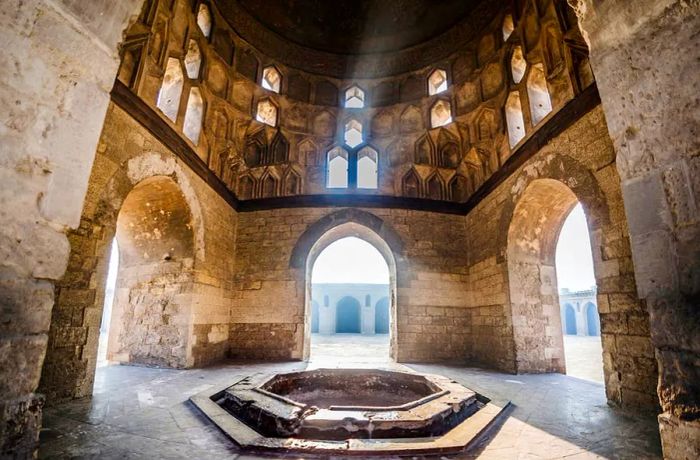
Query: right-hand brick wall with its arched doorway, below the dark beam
(520, 335)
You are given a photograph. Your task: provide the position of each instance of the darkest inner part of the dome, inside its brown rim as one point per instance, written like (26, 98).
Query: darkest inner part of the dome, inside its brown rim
(358, 26)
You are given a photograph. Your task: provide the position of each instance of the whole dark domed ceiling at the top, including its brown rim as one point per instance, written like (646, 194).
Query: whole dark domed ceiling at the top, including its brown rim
(357, 38)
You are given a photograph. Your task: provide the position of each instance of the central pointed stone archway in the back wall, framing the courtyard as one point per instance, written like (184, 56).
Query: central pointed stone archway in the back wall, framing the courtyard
(363, 225)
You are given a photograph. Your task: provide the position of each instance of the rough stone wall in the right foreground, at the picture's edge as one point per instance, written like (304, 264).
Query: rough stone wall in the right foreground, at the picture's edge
(646, 62)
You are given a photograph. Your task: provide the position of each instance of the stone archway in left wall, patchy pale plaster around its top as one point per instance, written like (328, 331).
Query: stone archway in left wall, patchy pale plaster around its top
(69, 366)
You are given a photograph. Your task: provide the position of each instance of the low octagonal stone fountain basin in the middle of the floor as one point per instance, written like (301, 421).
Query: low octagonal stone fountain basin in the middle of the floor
(334, 409)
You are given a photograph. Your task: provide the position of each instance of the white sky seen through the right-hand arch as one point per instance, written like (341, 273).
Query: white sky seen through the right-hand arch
(574, 256)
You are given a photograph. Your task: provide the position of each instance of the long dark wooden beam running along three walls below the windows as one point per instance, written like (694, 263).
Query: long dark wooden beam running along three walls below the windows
(165, 133)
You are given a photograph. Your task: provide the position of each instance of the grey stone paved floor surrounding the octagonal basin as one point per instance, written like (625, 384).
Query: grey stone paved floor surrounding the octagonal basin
(141, 412)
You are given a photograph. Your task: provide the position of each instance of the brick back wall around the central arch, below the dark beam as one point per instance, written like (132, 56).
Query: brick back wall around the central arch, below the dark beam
(269, 310)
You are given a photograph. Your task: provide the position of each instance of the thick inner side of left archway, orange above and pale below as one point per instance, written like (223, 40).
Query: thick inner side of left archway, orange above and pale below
(156, 259)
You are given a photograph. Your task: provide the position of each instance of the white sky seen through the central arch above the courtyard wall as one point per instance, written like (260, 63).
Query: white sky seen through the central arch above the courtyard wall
(350, 260)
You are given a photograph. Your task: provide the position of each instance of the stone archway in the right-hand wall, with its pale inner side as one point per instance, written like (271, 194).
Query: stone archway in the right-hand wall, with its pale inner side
(541, 197)
